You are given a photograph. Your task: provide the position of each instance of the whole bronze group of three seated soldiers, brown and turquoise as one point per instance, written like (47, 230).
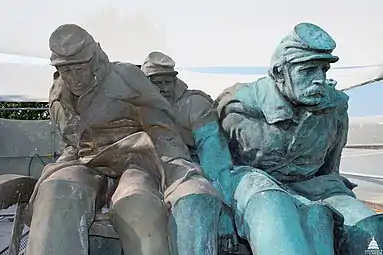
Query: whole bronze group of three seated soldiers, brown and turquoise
(194, 175)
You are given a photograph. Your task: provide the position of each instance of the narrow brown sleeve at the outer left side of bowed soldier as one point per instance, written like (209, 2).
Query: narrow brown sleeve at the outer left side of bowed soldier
(59, 119)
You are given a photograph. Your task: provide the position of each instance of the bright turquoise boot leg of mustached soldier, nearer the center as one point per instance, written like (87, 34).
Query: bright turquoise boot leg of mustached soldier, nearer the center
(273, 225)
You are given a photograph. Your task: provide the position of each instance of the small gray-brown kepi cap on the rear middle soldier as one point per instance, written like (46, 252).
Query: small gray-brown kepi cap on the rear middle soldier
(158, 63)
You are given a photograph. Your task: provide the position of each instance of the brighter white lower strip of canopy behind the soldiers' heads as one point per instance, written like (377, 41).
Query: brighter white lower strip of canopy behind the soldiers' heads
(31, 82)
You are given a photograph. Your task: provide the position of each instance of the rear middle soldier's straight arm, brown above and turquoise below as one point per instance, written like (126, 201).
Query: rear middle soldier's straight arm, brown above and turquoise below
(212, 147)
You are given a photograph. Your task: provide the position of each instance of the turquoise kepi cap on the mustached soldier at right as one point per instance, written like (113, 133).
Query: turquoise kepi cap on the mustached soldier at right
(306, 42)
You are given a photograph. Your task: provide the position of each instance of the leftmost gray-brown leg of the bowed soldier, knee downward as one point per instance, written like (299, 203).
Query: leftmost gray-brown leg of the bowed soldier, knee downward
(63, 212)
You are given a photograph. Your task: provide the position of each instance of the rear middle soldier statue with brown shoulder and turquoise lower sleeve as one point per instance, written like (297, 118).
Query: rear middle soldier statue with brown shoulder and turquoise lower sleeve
(197, 120)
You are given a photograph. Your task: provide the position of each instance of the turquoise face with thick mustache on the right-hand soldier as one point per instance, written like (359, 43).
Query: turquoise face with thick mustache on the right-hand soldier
(305, 83)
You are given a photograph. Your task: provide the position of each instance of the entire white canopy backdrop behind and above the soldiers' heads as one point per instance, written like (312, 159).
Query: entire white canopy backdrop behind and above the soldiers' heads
(195, 33)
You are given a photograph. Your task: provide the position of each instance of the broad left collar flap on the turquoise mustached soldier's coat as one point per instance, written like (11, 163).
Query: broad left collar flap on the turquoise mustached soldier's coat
(274, 106)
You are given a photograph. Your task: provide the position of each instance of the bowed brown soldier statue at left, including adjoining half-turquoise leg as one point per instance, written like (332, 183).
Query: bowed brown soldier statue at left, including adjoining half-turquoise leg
(116, 124)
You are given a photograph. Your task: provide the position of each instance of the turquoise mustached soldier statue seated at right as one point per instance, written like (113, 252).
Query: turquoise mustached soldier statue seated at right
(289, 129)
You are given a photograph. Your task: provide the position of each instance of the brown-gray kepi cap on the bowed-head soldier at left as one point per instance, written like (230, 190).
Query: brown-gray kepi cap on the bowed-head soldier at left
(70, 44)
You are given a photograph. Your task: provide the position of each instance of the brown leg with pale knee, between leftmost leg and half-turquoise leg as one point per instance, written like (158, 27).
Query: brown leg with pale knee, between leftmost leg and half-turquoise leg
(139, 214)
